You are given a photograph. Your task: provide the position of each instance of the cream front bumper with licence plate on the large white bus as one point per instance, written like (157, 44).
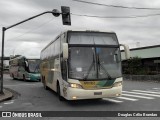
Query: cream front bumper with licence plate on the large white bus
(77, 94)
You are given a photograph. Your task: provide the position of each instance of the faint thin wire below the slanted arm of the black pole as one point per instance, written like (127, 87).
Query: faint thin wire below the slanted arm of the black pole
(30, 30)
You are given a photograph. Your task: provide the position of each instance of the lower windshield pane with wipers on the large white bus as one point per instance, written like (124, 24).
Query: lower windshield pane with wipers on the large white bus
(94, 63)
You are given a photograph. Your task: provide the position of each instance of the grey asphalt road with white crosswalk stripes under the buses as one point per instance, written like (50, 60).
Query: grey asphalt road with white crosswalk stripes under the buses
(31, 96)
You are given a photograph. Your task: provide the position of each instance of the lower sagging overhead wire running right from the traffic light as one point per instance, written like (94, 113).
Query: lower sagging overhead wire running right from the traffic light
(133, 16)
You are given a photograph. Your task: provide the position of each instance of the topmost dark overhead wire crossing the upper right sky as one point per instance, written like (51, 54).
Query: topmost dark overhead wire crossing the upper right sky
(117, 6)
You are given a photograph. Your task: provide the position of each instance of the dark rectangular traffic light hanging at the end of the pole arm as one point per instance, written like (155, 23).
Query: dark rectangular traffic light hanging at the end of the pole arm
(66, 19)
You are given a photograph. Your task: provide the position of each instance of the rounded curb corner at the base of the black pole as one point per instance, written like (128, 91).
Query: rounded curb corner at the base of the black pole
(6, 95)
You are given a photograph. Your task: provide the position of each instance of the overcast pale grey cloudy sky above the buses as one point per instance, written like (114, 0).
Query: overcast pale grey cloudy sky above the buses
(31, 37)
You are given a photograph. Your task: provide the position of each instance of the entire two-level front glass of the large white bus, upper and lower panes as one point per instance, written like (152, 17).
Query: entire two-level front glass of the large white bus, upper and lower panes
(93, 62)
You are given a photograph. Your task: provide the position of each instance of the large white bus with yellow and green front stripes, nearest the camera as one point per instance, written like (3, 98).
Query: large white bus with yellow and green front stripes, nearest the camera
(83, 65)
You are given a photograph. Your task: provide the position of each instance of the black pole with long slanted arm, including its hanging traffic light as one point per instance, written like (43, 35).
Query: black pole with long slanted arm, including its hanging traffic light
(65, 18)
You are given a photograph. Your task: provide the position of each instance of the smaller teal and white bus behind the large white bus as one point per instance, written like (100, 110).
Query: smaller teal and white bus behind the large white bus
(26, 69)
